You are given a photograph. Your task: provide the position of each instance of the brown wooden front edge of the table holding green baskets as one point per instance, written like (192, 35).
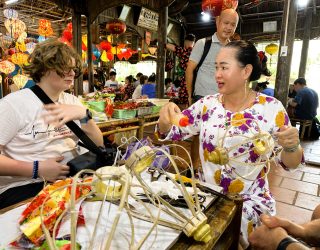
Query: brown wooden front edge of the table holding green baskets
(113, 126)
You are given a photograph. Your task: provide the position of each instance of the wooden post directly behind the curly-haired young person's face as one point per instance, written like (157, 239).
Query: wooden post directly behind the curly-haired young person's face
(76, 41)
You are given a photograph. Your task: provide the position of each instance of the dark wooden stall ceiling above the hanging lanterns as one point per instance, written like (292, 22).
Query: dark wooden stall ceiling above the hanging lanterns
(252, 15)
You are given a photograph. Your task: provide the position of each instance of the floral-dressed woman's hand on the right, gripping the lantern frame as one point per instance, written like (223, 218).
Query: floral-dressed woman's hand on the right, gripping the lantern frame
(288, 137)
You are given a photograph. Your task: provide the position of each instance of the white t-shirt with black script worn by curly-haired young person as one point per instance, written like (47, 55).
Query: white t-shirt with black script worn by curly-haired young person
(26, 137)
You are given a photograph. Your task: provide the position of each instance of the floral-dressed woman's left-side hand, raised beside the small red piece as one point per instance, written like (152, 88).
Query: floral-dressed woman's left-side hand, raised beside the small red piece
(167, 113)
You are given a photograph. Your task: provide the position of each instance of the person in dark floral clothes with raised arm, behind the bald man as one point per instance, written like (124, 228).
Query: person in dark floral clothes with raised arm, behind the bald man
(183, 53)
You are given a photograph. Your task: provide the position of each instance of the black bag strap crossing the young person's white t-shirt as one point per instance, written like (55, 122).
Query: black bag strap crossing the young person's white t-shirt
(88, 143)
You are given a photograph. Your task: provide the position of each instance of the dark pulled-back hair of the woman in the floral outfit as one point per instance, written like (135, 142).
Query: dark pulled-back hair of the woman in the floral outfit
(247, 54)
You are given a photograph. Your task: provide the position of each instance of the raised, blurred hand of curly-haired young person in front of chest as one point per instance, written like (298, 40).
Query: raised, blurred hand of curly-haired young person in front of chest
(58, 114)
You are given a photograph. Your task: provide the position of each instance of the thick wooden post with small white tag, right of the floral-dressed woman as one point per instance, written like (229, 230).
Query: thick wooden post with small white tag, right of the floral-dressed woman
(288, 30)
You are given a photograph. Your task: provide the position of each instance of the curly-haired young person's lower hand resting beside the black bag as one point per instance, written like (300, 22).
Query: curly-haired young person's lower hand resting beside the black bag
(51, 170)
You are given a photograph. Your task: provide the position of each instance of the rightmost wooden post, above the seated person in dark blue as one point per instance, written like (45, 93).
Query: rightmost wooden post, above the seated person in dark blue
(305, 43)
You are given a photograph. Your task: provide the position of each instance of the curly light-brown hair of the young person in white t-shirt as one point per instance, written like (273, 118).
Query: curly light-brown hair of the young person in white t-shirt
(52, 55)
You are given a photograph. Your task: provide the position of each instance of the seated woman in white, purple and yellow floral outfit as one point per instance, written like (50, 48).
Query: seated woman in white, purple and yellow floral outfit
(237, 110)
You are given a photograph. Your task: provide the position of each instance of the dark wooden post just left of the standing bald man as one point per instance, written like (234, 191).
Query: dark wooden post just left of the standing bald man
(161, 56)
